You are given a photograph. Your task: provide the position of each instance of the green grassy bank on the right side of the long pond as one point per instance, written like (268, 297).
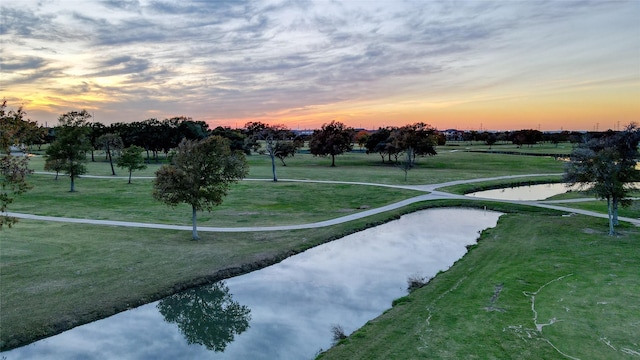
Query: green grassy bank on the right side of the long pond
(535, 287)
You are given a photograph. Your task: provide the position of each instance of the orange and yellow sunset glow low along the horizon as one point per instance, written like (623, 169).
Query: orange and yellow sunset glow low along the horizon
(588, 108)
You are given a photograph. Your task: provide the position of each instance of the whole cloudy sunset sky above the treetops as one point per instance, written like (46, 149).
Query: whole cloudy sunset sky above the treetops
(473, 65)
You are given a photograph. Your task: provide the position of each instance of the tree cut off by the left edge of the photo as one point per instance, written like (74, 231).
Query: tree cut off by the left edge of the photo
(13, 169)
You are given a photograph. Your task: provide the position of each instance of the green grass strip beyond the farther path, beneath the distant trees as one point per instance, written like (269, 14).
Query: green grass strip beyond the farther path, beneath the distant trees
(359, 167)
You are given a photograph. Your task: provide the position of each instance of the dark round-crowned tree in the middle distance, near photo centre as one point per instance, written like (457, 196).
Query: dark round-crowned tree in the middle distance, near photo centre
(332, 139)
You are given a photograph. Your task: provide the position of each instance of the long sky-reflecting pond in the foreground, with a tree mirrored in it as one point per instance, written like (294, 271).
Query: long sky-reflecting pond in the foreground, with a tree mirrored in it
(285, 311)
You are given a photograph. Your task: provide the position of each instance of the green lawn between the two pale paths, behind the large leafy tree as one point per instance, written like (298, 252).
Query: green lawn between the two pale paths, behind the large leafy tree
(259, 203)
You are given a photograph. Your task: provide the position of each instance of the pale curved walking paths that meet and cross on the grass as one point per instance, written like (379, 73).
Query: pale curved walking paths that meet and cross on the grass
(432, 193)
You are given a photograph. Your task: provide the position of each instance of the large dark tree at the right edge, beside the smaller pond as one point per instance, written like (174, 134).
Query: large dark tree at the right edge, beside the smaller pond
(606, 165)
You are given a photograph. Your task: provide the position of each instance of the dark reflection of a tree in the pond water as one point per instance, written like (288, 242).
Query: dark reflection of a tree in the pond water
(207, 315)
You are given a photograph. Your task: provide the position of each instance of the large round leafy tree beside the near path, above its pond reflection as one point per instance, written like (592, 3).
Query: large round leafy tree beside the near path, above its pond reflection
(200, 174)
